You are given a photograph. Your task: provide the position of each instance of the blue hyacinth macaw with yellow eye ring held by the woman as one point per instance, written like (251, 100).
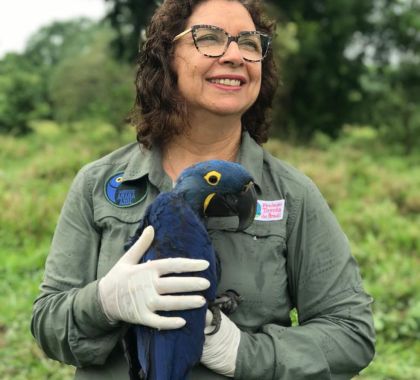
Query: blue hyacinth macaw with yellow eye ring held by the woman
(210, 188)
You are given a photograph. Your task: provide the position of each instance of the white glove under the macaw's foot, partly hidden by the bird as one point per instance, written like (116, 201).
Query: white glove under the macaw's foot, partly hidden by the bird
(221, 349)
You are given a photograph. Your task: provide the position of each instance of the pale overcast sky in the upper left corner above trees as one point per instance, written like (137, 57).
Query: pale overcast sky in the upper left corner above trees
(21, 18)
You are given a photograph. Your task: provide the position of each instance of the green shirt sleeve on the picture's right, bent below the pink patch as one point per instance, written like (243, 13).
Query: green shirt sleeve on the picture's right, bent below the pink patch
(335, 336)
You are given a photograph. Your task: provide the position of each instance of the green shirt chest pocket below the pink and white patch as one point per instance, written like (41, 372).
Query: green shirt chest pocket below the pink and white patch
(253, 263)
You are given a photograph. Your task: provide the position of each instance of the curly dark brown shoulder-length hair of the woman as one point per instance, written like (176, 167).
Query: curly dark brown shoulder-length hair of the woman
(160, 112)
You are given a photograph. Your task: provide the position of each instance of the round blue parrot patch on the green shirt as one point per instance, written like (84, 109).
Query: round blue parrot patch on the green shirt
(123, 194)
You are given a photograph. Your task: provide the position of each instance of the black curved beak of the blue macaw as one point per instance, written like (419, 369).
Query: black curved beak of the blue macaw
(243, 205)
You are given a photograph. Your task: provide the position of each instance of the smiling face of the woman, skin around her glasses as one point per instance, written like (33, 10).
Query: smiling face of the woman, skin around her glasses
(200, 78)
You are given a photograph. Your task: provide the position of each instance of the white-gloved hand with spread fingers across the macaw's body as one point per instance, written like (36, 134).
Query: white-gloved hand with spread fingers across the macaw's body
(132, 292)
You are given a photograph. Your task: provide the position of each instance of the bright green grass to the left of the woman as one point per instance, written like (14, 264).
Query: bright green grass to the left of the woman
(36, 172)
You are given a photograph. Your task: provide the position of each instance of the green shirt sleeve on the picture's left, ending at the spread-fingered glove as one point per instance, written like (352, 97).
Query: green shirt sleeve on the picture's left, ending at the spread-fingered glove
(67, 319)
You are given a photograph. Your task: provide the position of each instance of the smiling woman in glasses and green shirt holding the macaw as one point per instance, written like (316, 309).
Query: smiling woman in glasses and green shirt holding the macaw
(202, 94)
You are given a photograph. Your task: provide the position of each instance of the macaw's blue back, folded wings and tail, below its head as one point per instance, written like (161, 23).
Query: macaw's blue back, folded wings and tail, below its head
(187, 238)
